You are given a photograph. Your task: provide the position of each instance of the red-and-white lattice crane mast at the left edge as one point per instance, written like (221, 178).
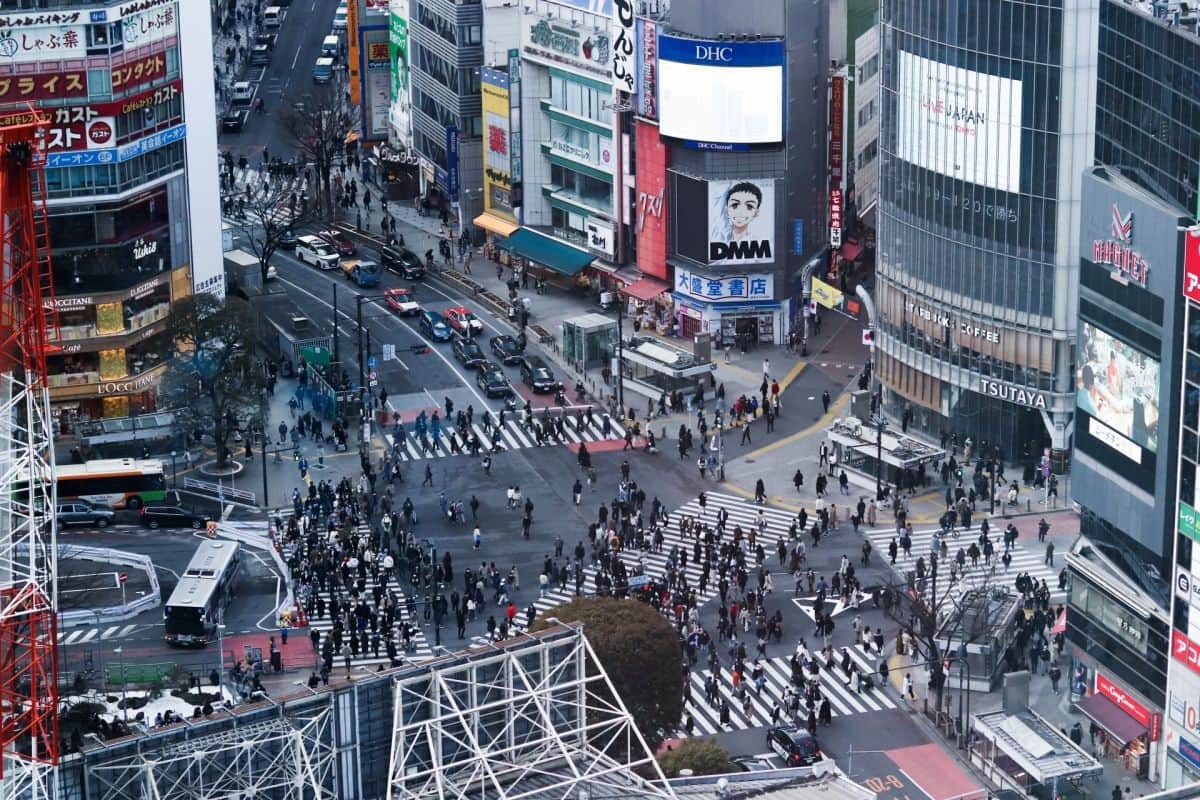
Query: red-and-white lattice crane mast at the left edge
(29, 729)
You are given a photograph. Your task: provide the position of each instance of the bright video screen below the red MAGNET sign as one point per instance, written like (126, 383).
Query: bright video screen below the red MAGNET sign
(1118, 387)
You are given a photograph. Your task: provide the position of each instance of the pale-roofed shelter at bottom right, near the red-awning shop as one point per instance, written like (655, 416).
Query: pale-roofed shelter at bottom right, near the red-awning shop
(1023, 751)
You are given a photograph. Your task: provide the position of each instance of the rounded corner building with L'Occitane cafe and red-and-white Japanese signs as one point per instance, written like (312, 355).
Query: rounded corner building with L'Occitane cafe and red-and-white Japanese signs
(131, 187)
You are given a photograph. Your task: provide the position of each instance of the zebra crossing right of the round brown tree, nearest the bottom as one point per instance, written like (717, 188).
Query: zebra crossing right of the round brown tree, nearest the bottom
(844, 701)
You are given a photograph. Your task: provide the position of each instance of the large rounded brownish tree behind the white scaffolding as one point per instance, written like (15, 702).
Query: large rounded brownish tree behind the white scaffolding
(640, 652)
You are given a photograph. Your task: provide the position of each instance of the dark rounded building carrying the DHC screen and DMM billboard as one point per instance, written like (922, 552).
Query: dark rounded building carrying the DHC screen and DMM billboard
(737, 227)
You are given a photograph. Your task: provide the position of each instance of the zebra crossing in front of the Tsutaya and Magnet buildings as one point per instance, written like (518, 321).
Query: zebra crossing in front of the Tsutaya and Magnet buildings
(1028, 557)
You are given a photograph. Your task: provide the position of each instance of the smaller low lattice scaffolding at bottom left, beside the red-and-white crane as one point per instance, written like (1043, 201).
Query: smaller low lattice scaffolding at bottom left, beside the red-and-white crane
(280, 759)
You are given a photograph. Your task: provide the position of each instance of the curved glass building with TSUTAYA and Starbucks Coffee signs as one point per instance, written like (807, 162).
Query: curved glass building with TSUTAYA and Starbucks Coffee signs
(985, 131)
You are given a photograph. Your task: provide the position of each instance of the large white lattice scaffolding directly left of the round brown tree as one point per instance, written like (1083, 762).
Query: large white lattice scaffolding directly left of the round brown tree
(530, 719)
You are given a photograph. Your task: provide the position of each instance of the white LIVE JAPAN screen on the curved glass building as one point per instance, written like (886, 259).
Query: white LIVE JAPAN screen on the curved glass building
(959, 123)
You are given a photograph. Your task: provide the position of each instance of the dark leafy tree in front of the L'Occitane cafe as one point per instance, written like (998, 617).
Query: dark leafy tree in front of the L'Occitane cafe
(214, 378)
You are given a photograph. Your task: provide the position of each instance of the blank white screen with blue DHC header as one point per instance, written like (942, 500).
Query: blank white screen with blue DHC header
(721, 93)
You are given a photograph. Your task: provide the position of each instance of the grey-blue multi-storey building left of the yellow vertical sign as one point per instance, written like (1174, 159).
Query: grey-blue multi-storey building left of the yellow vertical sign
(436, 113)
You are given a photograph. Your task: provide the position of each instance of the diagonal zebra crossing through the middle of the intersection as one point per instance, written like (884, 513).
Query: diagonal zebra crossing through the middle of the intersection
(655, 566)
